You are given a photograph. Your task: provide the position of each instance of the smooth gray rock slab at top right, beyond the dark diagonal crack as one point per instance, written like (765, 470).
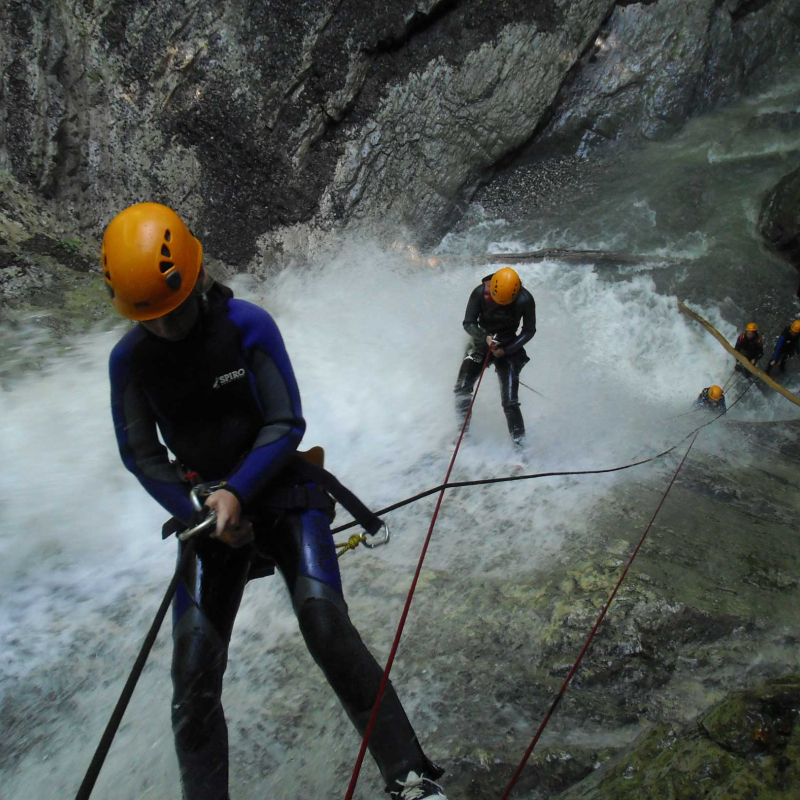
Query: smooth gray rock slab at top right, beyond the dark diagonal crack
(655, 65)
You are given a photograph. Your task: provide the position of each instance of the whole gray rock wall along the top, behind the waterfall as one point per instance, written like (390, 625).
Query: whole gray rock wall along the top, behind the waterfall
(255, 118)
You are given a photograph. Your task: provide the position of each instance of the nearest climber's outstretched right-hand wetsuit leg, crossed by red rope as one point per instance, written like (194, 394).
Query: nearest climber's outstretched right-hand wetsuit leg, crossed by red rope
(303, 549)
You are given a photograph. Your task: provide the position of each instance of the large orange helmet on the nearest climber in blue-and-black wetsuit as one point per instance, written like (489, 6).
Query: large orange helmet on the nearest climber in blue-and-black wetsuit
(150, 261)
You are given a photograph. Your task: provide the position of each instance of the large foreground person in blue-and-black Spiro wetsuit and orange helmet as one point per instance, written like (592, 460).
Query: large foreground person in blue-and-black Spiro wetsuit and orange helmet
(211, 375)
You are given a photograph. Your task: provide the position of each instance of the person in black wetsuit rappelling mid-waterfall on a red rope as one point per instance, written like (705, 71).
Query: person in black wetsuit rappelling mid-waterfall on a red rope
(494, 312)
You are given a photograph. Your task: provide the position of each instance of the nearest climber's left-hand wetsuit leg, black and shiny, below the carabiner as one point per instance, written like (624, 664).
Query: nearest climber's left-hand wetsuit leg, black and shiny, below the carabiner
(204, 609)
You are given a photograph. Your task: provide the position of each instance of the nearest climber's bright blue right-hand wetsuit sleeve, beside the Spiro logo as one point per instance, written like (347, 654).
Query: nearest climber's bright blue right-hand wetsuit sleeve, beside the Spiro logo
(273, 382)
